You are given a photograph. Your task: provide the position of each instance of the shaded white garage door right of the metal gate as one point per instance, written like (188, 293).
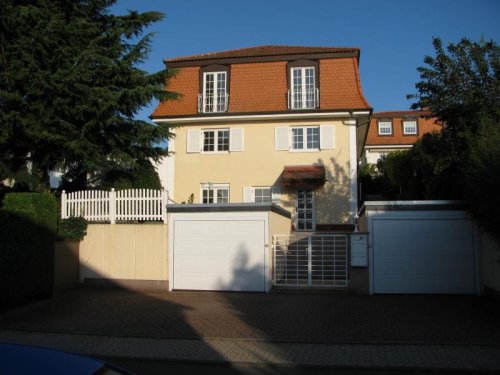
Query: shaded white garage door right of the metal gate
(423, 256)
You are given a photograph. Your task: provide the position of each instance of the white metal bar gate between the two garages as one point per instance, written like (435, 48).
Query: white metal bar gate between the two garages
(310, 260)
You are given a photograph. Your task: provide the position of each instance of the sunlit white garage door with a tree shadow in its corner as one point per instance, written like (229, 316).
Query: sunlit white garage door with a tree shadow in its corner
(219, 255)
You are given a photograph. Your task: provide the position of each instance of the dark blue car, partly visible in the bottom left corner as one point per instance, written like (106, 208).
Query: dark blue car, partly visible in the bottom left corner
(18, 359)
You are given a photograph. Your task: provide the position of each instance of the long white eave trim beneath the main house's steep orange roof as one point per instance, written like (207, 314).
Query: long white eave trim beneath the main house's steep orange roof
(280, 116)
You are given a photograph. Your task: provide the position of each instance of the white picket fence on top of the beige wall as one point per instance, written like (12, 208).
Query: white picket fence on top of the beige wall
(112, 206)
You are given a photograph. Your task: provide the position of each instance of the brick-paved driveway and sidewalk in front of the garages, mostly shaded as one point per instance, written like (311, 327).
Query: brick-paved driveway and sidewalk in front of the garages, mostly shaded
(259, 328)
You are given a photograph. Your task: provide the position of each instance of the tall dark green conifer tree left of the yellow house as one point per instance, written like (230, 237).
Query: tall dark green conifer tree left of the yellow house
(70, 86)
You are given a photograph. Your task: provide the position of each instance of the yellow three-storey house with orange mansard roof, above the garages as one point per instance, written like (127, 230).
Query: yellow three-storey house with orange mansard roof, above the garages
(274, 124)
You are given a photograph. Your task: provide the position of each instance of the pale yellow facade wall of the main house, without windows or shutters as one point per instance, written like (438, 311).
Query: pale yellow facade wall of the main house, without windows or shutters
(260, 165)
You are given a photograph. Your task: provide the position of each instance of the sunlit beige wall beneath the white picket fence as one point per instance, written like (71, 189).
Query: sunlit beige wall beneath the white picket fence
(125, 252)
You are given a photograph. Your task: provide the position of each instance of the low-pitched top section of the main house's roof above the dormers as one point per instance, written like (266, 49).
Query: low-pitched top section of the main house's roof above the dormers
(263, 51)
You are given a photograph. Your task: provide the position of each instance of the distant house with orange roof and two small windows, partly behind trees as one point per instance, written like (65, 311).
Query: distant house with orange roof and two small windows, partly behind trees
(396, 130)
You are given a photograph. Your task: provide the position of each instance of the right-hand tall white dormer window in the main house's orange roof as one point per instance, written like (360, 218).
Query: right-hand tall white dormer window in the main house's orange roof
(303, 90)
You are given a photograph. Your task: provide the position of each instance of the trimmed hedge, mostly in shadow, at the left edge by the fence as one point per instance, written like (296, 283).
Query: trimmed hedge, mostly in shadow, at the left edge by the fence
(28, 223)
